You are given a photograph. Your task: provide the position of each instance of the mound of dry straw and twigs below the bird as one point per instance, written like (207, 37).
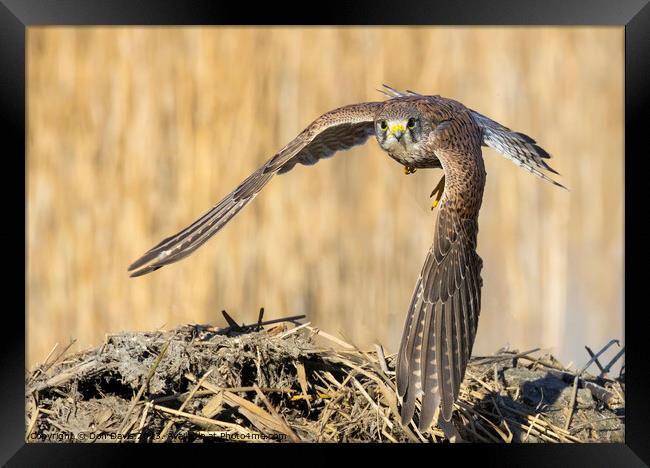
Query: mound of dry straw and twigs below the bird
(282, 383)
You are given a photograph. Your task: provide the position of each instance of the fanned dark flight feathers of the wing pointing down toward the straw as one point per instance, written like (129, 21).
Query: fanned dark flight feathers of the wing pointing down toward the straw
(442, 320)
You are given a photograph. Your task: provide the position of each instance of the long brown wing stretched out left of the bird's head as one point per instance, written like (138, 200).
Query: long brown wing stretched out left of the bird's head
(334, 131)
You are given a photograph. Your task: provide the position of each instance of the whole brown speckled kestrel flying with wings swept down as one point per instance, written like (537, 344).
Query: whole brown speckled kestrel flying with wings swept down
(418, 132)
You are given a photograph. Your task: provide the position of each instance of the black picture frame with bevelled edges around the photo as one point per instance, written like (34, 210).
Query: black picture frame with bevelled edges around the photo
(17, 15)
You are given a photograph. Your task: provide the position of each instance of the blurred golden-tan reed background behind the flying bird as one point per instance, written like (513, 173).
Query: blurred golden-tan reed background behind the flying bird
(134, 132)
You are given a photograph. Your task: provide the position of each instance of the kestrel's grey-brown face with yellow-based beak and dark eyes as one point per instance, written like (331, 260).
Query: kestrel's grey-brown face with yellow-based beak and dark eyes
(399, 129)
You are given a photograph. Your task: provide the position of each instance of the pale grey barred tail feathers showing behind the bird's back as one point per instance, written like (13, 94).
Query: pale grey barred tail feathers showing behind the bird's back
(515, 146)
